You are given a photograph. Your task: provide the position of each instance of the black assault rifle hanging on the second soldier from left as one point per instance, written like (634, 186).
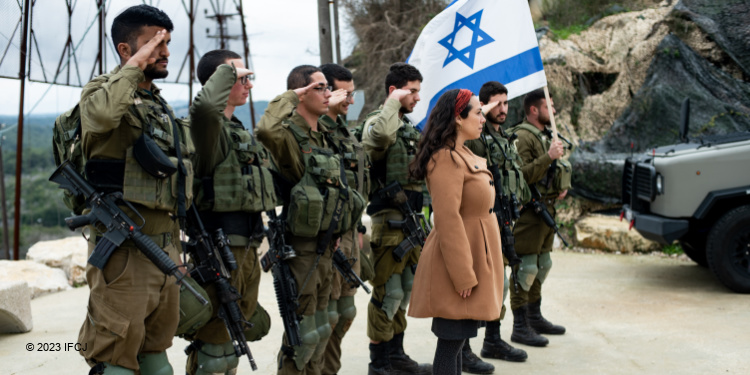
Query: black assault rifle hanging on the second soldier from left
(214, 261)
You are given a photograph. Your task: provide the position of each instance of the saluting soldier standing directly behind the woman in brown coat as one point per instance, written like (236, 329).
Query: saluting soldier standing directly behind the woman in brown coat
(494, 146)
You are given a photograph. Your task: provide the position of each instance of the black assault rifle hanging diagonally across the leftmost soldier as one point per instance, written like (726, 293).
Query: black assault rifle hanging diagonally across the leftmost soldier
(116, 224)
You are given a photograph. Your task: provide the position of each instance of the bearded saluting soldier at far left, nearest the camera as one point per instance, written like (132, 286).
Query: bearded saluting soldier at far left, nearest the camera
(133, 308)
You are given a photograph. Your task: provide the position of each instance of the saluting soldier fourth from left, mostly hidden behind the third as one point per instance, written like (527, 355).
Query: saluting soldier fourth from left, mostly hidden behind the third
(341, 308)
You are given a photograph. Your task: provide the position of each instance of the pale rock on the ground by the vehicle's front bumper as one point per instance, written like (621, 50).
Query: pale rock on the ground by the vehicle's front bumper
(608, 233)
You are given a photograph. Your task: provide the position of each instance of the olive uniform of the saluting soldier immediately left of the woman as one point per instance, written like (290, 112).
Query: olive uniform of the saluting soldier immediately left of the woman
(391, 144)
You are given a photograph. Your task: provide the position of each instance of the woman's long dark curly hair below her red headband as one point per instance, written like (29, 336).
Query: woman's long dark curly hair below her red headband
(439, 132)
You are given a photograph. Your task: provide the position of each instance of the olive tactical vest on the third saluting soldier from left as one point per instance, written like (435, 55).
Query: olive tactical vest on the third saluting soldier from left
(314, 198)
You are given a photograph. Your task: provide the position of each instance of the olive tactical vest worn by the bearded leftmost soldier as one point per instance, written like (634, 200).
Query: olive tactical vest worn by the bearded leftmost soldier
(137, 185)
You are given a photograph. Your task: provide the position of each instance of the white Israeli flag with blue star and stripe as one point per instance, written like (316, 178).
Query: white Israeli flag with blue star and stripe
(475, 41)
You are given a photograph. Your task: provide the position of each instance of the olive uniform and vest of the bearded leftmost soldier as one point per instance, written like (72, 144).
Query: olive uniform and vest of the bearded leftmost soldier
(133, 306)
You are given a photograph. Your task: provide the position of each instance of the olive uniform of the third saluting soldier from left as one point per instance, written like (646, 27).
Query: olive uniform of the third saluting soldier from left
(286, 135)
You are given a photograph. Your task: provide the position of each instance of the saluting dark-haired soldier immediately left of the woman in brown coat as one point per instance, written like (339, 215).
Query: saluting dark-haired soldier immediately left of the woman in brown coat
(390, 140)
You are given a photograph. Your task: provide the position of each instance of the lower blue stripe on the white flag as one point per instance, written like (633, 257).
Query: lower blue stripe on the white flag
(505, 72)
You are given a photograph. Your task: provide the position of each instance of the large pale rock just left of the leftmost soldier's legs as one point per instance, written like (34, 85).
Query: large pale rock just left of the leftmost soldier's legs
(69, 254)
